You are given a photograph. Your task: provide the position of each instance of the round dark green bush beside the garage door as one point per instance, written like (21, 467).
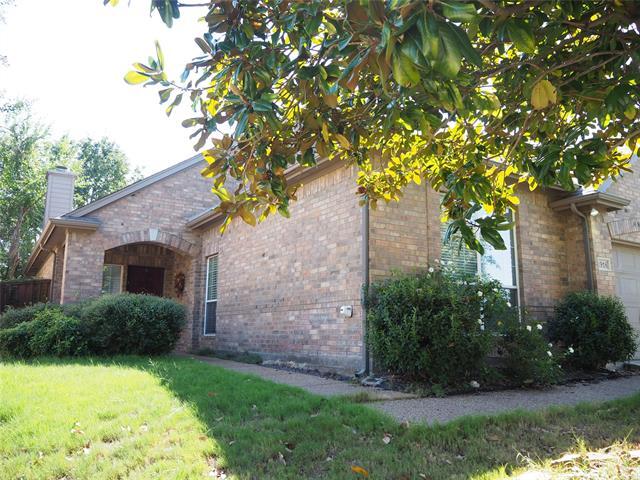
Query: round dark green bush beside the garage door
(596, 329)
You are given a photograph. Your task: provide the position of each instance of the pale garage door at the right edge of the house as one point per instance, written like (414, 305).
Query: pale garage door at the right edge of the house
(626, 264)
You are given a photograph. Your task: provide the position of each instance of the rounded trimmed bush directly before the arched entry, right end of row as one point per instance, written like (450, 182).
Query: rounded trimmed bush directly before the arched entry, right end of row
(132, 324)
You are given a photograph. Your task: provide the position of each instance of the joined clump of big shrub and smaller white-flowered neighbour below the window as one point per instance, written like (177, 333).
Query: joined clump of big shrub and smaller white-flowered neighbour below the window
(441, 328)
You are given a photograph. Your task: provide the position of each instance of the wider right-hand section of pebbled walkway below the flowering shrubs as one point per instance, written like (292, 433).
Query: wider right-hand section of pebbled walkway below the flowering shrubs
(432, 410)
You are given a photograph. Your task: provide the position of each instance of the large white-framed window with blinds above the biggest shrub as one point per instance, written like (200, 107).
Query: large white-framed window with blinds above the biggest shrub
(496, 264)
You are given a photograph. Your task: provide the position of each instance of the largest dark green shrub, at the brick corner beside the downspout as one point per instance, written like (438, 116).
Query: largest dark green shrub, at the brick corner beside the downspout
(433, 326)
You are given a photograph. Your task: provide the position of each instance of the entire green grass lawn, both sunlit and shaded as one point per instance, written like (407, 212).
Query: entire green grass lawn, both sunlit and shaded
(177, 418)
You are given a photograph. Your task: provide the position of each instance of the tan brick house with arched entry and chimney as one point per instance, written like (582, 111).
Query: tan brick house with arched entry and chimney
(292, 288)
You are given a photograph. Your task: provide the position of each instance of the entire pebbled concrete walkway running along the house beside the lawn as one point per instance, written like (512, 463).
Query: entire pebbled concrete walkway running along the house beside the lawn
(406, 407)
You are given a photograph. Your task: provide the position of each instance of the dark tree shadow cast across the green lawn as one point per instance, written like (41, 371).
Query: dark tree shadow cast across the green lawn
(264, 430)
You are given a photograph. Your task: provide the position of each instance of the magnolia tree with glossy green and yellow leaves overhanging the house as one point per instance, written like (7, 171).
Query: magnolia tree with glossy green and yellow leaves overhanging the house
(473, 97)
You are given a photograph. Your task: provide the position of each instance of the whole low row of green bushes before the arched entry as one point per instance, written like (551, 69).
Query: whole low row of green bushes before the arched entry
(109, 325)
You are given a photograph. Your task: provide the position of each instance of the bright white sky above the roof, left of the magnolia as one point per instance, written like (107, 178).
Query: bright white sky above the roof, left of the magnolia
(69, 58)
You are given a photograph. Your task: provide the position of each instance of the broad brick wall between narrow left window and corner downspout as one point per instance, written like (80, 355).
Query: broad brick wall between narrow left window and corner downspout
(280, 284)
